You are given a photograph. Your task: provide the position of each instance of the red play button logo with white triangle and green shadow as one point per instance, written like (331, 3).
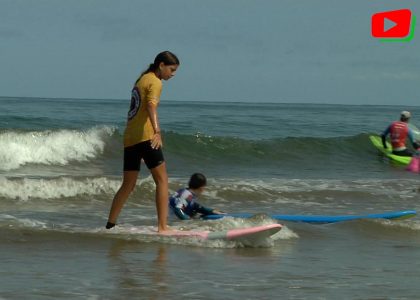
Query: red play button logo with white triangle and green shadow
(393, 25)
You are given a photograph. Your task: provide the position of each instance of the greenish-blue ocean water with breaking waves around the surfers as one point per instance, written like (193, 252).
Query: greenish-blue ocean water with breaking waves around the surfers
(61, 164)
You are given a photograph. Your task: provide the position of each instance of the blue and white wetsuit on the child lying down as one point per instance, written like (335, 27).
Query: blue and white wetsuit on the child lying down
(184, 205)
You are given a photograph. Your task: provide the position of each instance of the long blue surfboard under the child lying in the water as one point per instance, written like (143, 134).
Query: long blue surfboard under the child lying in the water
(320, 219)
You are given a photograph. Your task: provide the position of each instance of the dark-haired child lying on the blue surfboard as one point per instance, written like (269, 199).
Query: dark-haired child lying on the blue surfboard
(184, 202)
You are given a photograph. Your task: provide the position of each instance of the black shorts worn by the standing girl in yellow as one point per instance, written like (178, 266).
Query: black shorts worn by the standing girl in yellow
(134, 154)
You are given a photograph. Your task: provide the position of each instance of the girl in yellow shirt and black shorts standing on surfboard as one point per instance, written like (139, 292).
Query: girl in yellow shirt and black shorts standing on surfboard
(142, 138)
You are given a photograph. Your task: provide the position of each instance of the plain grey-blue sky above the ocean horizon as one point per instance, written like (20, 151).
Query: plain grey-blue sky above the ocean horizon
(318, 51)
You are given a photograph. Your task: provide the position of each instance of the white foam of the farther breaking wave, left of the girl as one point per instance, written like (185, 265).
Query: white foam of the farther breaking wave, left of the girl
(51, 147)
